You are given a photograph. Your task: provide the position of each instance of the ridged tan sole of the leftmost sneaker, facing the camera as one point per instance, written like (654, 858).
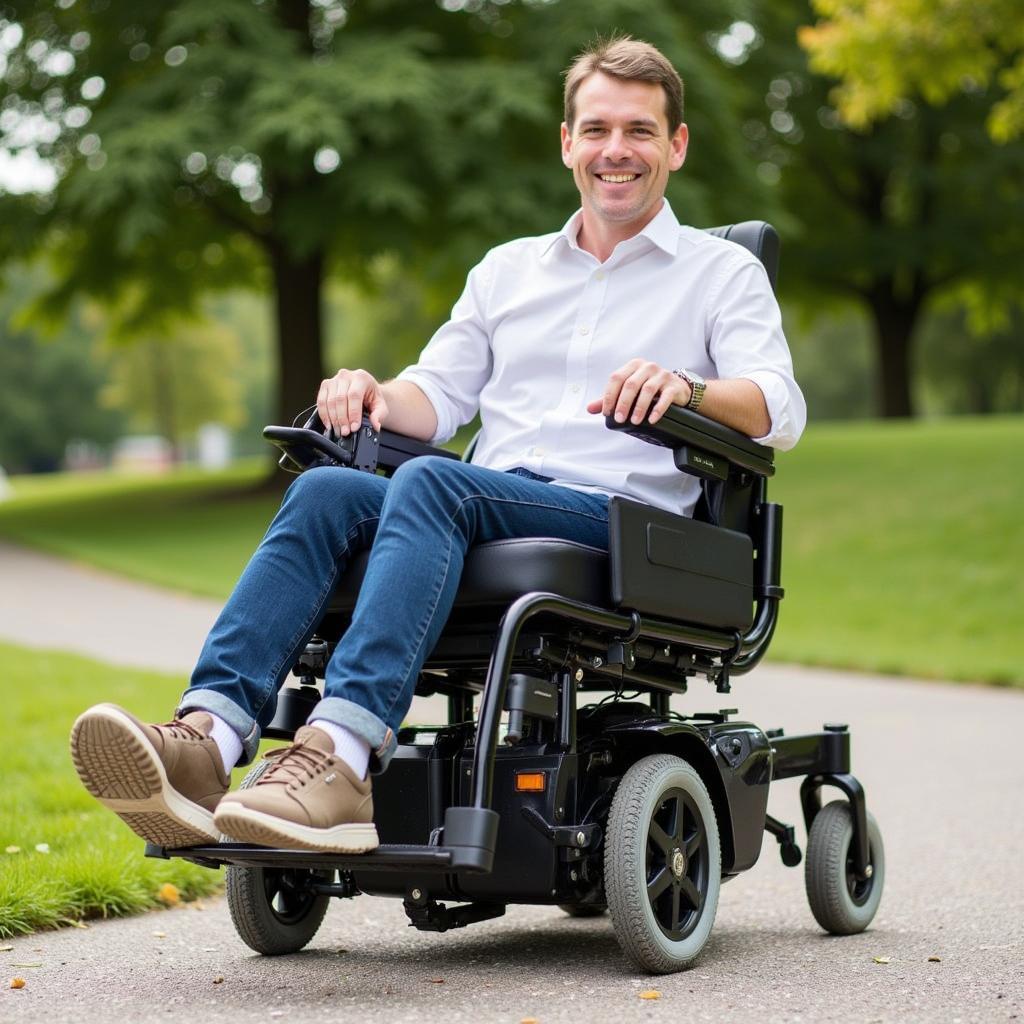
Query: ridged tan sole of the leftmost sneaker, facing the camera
(121, 769)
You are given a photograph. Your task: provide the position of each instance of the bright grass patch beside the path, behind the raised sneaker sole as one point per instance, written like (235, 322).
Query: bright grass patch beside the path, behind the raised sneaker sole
(95, 868)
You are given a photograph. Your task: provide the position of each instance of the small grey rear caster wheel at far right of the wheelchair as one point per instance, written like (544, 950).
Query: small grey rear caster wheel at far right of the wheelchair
(842, 904)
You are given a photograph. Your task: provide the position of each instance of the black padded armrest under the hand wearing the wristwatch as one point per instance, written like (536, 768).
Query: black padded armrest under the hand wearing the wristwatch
(702, 447)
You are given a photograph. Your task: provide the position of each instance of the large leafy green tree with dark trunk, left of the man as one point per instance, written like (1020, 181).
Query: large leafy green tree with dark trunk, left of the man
(205, 144)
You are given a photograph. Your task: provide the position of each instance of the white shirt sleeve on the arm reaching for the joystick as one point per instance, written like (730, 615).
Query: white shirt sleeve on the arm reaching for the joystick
(457, 362)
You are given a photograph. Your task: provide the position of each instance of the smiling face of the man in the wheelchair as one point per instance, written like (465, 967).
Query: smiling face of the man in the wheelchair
(620, 149)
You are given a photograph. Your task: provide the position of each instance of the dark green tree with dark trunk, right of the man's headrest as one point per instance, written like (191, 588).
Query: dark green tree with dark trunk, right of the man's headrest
(919, 206)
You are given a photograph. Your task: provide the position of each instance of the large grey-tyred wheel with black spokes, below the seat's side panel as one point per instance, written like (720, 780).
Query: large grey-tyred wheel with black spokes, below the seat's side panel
(663, 865)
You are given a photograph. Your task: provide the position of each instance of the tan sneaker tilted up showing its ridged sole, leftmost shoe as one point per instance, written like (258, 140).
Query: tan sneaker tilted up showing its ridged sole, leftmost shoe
(162, 781)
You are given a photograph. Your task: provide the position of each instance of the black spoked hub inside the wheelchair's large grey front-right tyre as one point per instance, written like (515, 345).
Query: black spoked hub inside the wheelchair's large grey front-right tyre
(677, 865)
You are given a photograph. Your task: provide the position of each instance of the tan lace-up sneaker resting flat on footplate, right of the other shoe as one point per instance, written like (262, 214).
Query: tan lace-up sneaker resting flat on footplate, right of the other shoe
(308, 799)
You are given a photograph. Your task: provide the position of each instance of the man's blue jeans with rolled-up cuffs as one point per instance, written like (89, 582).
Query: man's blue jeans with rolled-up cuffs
(419, 526)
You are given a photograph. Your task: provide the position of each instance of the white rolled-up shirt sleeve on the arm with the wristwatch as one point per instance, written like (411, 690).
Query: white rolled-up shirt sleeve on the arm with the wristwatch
(746, 340)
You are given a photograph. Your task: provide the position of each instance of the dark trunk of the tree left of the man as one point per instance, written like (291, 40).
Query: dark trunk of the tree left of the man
(300, 323)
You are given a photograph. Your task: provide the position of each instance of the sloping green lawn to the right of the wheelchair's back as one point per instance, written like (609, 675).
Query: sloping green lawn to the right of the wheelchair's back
(905, 549)
